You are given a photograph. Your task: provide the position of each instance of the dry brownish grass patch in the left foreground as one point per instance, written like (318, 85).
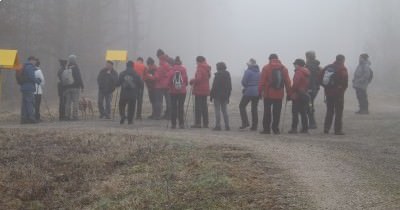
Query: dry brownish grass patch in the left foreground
(78, 170)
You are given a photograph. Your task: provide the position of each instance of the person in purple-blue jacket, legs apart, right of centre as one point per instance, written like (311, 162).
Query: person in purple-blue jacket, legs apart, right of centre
(250, 82)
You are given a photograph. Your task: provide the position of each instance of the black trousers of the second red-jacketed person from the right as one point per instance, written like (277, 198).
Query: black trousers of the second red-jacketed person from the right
(300, 107)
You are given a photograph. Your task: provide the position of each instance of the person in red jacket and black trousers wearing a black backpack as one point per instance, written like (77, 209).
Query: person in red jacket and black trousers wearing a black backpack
(273, 82)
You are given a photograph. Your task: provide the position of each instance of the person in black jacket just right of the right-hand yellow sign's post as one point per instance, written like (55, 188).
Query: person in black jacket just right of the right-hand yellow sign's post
(130, 83)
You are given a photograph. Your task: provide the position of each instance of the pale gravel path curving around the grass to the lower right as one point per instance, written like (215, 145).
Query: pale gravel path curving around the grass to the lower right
(358, 171)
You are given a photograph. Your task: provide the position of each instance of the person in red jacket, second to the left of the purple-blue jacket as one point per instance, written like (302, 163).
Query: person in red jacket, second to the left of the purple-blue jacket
(201, 90)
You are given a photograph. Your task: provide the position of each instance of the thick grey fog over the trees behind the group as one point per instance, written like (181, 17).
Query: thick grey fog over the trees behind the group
(222, 30)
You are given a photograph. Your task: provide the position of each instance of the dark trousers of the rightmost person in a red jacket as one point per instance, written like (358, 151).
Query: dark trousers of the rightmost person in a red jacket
(334, 105)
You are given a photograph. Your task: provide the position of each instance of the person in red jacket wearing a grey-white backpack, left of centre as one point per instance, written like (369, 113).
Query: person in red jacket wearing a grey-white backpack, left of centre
(178, 81)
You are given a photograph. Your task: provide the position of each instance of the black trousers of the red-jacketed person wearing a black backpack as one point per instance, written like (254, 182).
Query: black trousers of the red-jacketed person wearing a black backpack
(272, 112)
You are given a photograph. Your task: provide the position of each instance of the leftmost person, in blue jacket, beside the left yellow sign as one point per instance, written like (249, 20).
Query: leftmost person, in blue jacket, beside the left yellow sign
(28, 88)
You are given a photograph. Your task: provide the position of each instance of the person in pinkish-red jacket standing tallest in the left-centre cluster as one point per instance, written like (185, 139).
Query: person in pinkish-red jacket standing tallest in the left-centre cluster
(161, 86)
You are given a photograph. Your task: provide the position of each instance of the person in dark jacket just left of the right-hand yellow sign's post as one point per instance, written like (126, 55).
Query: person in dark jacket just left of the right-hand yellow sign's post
(107, 82)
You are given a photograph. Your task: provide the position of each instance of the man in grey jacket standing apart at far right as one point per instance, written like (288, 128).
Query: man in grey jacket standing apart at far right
(362, 78)
